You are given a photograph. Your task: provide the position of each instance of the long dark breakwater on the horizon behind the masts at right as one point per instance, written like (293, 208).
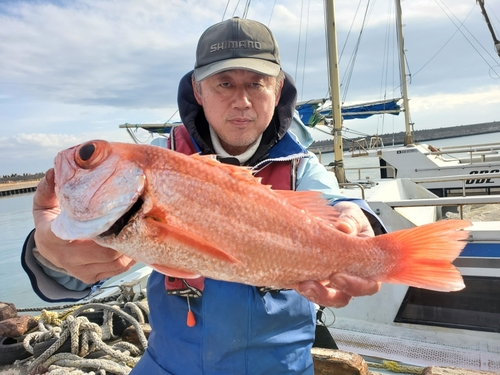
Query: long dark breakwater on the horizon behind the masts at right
(419, 136)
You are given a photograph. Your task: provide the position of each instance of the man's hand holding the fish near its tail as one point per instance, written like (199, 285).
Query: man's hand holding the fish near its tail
(339, 290)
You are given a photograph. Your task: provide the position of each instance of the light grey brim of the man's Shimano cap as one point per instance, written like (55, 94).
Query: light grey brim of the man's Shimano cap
(265, 67)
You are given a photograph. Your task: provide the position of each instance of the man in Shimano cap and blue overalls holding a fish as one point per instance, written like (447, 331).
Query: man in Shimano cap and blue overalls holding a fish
(238, 104)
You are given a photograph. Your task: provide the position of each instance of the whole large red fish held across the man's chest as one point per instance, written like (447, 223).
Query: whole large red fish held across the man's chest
(191, 215)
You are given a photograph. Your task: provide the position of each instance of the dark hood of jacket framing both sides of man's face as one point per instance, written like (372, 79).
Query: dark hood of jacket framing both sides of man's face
(193, 118)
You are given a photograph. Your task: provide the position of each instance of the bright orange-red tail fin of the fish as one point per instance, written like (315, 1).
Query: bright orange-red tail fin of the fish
(427, 253)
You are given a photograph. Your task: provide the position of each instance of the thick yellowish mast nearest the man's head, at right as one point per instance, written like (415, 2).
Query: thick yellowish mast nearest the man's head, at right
(334, 80)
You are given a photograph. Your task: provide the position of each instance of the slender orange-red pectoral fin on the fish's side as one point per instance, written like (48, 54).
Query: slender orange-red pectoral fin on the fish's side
(192, 241)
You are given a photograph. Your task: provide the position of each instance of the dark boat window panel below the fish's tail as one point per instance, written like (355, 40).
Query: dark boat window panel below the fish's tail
(477, 307)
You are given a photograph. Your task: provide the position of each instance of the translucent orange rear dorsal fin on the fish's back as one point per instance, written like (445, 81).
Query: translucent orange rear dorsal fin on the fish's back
(312, 202)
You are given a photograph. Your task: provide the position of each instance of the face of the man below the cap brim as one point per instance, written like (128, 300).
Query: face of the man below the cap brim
(239, 105)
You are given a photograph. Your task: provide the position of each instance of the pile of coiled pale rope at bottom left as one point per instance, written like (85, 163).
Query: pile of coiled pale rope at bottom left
(86, 338)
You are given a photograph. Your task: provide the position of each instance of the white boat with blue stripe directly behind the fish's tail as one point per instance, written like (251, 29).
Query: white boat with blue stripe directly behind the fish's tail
(420, 327)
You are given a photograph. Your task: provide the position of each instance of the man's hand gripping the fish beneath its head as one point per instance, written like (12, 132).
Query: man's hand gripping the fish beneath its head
(85, 260)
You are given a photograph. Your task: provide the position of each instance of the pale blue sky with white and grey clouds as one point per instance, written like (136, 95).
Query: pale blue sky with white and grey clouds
(74, 70)
